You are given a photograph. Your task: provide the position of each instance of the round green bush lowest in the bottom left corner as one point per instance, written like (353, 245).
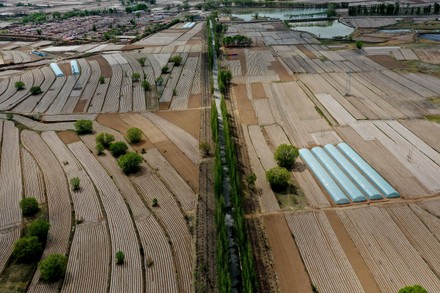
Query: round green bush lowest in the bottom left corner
(53, 268)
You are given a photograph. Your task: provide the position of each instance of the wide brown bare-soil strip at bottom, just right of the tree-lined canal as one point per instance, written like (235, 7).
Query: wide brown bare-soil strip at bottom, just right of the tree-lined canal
(290, 269)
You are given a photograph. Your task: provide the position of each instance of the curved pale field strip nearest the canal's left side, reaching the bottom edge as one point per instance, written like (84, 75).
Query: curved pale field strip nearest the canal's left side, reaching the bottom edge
(172, 219)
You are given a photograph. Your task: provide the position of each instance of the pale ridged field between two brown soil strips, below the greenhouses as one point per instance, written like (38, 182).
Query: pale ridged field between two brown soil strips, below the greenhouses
(326, 262)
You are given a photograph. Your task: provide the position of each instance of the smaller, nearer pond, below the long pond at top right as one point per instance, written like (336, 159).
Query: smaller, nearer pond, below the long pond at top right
(323, 29)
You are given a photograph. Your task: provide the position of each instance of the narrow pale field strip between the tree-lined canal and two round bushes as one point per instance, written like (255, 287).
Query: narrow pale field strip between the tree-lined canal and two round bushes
(267, 197)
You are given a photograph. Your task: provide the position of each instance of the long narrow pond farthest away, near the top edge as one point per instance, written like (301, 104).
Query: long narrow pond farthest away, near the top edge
(281, 14)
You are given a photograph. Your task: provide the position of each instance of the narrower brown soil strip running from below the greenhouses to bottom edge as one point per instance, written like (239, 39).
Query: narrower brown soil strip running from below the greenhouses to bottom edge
(357, 262)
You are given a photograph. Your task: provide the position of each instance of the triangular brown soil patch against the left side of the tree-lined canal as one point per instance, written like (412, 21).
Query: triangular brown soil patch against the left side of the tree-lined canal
(188, 120)
